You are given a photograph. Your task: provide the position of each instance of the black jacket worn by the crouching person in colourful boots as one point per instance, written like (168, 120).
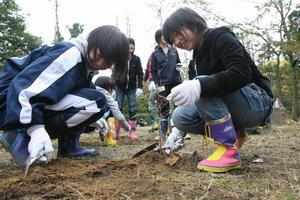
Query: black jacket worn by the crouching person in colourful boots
(227, 63)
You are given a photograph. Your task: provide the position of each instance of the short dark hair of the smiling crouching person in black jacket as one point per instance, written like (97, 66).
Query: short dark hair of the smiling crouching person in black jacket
(182, 17)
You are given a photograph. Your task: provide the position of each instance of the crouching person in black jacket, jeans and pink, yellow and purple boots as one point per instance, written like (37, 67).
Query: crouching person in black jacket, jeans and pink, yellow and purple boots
(228, 95)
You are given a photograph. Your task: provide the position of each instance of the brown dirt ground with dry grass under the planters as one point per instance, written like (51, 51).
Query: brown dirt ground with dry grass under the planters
(270, 170)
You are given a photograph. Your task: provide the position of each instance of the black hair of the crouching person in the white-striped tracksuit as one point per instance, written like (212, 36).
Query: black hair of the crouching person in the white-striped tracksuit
(113, 46)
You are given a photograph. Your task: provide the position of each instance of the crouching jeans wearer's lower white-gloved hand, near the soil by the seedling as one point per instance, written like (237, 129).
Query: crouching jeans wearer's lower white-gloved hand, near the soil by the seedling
(174, 141)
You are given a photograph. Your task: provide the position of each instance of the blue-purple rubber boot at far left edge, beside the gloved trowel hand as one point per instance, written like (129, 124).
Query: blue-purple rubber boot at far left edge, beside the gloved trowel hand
(16, 143)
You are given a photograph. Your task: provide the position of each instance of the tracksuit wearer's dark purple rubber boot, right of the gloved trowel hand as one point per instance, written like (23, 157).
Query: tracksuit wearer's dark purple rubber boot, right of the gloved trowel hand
(70, 147)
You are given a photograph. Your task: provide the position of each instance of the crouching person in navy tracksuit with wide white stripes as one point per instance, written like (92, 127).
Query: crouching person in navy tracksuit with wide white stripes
(48, 94)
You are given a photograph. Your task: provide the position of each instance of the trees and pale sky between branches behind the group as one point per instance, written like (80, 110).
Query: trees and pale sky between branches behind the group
(272, 37)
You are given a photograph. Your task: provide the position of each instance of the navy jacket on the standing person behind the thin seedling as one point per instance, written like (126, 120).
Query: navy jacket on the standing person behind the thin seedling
(163, 67)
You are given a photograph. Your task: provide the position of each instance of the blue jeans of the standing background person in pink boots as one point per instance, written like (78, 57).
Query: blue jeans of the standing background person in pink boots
(131, 97)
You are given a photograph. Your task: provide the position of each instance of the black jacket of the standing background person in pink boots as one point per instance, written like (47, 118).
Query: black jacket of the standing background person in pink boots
(134, 76)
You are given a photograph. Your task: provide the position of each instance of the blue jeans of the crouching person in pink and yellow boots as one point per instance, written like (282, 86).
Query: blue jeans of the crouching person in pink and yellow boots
(249, 107)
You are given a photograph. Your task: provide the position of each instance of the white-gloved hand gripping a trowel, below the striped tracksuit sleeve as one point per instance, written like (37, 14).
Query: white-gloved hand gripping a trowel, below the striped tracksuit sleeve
(39, 141)
